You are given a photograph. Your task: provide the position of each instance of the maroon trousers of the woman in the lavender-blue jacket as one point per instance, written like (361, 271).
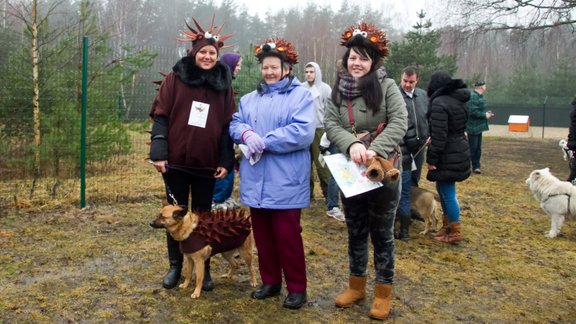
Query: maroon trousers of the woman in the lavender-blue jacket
(277, 233)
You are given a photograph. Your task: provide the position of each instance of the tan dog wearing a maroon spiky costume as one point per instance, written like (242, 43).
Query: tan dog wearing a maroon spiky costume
(206, 234)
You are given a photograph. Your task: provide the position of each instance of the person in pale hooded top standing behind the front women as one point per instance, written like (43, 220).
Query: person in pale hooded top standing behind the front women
(320, 92)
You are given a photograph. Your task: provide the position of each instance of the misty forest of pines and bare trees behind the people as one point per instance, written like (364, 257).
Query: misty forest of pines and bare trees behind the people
(132, 41)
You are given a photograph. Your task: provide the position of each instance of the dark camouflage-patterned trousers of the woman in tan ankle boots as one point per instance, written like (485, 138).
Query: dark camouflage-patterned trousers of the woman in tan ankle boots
(372, 214)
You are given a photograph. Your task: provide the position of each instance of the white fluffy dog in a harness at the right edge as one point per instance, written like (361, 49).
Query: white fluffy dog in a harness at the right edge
(557, 198)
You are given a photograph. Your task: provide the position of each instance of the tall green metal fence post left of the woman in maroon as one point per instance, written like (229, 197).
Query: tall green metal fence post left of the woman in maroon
(83, 126)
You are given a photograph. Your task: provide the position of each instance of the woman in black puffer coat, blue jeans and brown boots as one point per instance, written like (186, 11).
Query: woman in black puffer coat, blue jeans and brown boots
(448, 156)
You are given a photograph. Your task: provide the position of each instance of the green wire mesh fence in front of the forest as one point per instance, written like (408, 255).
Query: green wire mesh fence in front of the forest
(40, 157)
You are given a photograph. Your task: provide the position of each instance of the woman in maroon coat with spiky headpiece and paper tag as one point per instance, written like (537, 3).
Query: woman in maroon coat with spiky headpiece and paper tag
(190, 144)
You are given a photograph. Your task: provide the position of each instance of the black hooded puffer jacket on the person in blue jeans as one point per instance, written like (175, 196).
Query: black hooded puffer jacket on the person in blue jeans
(449, 150)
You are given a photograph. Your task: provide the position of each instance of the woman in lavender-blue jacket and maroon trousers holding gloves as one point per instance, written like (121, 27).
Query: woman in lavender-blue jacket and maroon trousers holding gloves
(276, 122)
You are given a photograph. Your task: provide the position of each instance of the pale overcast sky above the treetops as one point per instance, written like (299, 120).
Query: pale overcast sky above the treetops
(402, 12)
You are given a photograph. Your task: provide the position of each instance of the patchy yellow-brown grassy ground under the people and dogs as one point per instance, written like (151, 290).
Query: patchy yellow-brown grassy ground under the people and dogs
(104, 264)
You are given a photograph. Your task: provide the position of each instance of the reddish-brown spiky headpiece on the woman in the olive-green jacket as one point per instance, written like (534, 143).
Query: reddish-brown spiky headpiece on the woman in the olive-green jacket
(366, 35)
